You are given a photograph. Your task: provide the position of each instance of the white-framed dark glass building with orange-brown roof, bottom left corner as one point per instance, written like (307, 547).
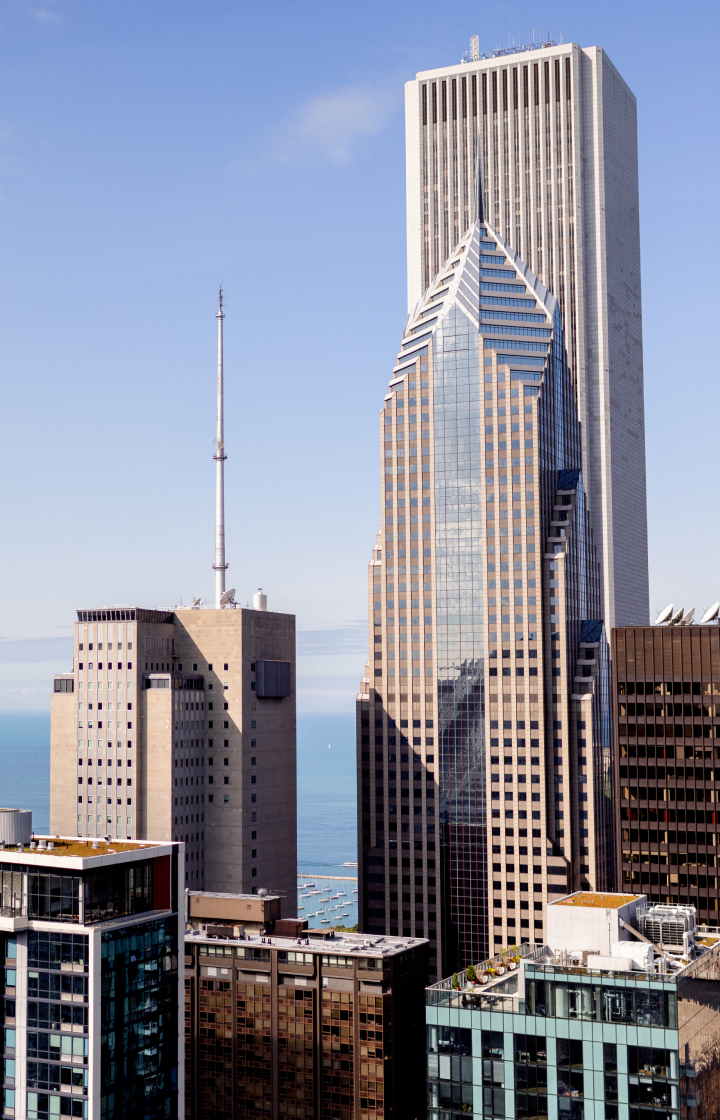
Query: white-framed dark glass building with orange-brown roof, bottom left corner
(92, 1006)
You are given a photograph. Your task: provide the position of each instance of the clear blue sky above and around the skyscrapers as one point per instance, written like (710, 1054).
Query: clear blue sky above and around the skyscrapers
(149, 151)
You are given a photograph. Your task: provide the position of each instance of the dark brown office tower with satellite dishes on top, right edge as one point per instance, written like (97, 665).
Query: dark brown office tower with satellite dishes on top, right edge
(667, 692)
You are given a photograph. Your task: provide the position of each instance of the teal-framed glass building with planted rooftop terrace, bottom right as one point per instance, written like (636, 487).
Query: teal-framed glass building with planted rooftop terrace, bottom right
(576, 1043)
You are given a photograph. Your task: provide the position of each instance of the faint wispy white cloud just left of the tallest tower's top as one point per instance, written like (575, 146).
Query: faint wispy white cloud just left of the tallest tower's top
(330, 127)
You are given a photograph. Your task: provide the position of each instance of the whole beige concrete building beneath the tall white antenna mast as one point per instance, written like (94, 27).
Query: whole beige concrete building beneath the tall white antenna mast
(181, 725)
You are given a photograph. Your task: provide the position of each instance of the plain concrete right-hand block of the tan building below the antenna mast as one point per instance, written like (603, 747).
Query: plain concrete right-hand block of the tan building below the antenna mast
(263, 797)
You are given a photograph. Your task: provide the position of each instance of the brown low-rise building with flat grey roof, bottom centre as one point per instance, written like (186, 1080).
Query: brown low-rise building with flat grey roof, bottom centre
(321, 1025)
